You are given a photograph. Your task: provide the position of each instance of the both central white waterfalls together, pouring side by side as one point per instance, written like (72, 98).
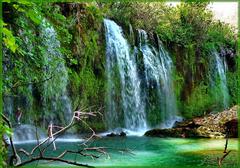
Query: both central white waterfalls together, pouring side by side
(127, 93)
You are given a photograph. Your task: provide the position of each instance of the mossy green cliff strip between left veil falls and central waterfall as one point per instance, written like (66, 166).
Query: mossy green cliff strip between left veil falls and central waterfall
(86, 63)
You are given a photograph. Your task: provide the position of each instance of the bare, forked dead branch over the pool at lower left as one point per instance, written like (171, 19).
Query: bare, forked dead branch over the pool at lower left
(78, 116)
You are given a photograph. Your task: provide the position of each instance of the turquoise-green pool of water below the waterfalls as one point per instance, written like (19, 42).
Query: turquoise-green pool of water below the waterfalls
(150, 152)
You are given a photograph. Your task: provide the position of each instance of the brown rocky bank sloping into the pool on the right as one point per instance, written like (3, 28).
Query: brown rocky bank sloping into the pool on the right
(210, 126)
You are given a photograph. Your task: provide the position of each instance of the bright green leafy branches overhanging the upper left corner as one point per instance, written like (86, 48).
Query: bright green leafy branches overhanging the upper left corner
(24, 62)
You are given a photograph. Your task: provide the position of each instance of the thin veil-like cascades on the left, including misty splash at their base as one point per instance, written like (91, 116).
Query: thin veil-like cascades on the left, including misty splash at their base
(56, 105)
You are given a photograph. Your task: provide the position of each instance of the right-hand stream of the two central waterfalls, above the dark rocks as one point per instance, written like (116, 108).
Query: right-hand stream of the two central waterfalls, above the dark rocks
(158, 74)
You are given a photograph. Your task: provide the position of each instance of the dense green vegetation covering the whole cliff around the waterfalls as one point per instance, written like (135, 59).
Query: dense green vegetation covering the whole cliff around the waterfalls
(79, 27)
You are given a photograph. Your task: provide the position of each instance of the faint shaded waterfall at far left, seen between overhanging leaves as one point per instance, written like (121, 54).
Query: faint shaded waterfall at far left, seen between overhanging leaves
(21, 99)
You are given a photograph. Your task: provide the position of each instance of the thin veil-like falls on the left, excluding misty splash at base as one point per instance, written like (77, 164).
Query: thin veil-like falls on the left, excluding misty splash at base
(53, 101)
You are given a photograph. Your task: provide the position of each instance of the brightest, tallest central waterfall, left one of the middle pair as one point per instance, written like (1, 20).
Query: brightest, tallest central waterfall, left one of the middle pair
(121, 70)
